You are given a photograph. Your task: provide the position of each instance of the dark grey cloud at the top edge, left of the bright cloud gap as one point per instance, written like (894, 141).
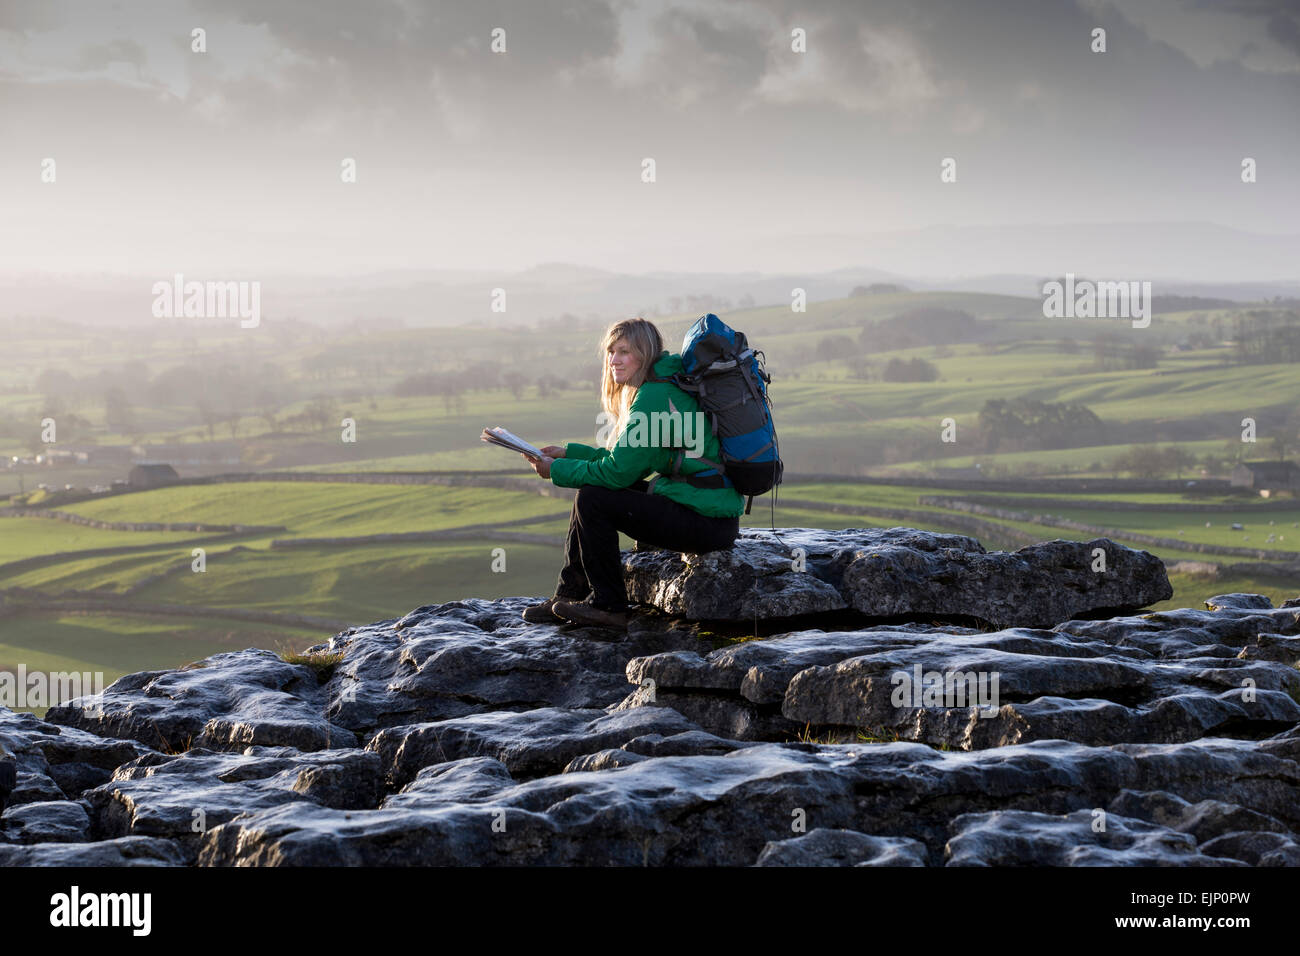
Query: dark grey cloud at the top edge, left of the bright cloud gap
(401, 57)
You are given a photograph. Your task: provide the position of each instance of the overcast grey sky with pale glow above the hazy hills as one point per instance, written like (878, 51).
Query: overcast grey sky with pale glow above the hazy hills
(227, 163)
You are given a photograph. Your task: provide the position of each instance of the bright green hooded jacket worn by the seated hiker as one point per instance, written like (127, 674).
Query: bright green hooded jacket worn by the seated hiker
(648, 445)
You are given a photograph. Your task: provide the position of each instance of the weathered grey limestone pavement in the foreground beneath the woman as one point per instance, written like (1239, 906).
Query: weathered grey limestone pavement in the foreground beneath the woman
(461, 734)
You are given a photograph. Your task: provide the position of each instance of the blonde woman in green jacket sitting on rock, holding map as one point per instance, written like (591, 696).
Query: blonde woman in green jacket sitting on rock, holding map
(613, 494)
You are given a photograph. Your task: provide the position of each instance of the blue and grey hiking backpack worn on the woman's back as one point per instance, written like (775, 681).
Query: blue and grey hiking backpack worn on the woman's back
(730, 383)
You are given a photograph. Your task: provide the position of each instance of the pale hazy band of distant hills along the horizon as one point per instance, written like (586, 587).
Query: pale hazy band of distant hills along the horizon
(1181, 259)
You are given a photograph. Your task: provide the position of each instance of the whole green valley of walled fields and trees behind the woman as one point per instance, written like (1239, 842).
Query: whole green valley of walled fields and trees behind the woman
(218, 401)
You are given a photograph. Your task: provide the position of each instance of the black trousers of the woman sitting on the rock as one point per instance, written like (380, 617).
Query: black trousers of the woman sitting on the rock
(592, 561)
